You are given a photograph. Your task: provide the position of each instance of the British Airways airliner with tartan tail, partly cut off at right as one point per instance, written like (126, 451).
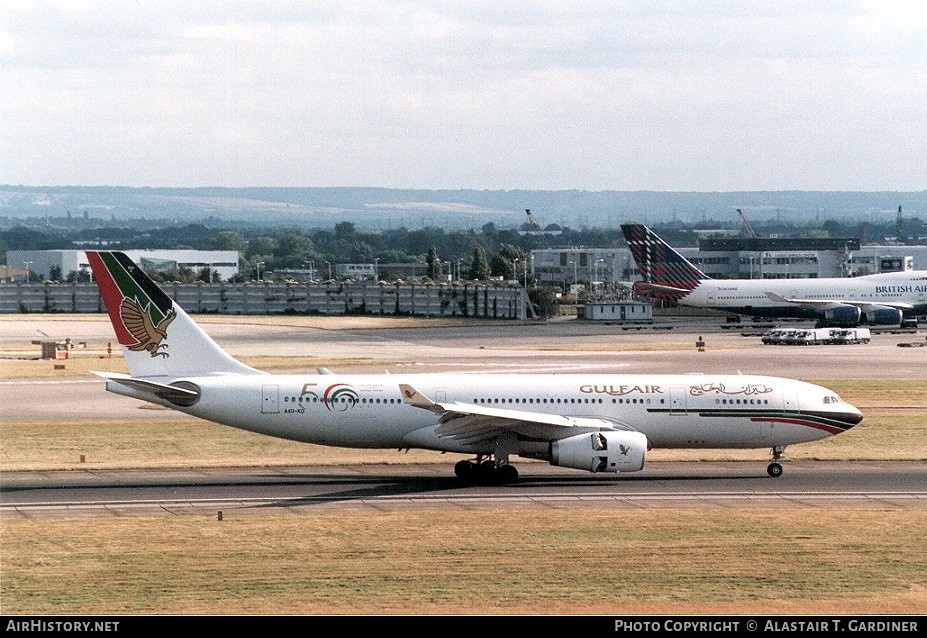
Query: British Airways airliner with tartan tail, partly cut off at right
(884, 299)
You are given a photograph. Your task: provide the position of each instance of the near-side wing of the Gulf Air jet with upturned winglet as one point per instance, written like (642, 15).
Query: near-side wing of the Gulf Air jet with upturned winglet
(472, 422)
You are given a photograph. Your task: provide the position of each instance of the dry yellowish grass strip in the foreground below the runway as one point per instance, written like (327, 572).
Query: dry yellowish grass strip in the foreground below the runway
(839, 560)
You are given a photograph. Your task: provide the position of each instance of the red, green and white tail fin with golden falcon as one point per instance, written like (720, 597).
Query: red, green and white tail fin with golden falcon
(158, 338)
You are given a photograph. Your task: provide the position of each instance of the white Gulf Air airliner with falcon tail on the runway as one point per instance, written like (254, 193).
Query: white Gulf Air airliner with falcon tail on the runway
(592, 422)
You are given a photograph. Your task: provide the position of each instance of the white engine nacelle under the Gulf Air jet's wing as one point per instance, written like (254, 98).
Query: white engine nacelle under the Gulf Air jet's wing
(601, 452)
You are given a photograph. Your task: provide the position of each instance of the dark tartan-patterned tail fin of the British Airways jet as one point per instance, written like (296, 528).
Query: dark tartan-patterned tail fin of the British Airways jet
(669, 275)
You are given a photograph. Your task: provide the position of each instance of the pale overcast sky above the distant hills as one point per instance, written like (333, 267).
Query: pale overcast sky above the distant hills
(711, 95)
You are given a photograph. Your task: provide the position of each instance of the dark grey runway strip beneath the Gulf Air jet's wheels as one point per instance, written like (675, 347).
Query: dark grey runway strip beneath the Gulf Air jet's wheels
(240, 491)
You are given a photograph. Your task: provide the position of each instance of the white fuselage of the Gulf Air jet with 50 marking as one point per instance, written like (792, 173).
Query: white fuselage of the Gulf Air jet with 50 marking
(368, 411)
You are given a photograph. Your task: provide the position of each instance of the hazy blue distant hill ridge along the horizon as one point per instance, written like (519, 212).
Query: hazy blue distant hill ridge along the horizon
(380, 208)
